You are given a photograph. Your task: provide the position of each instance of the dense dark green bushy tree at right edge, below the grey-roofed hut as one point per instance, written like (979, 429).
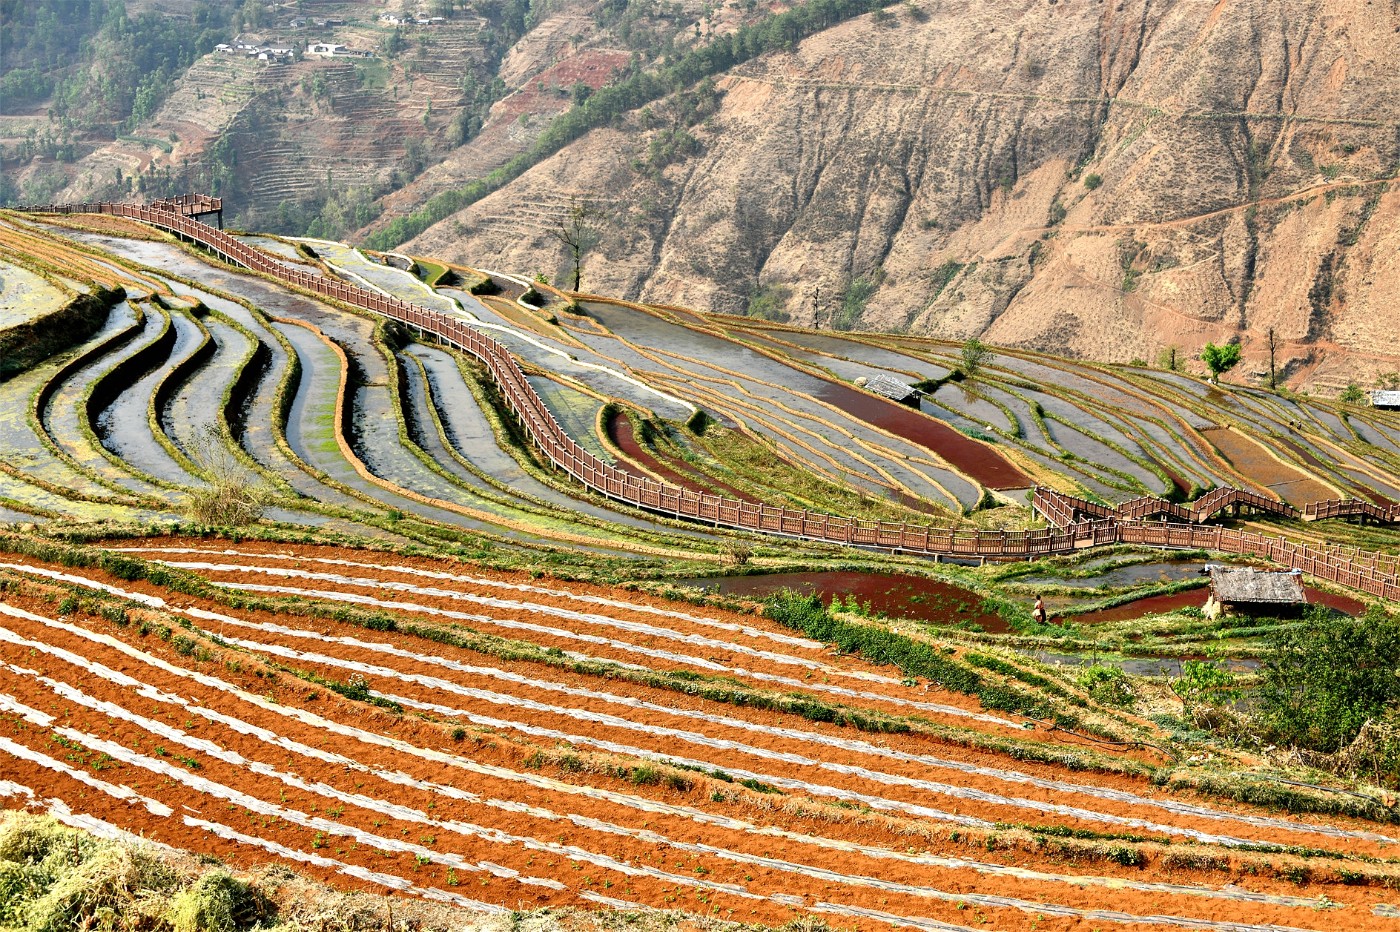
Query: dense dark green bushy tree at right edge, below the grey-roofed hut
(1326, 678)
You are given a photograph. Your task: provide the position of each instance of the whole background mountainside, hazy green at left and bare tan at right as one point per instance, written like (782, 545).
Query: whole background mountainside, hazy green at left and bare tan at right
(1100, 181)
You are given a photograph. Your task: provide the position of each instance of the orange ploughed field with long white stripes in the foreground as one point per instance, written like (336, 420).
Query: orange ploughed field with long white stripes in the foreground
(205, 738)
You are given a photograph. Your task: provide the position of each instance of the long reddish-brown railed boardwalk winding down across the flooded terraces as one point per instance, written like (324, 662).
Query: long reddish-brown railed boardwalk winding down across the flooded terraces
(1370, 574)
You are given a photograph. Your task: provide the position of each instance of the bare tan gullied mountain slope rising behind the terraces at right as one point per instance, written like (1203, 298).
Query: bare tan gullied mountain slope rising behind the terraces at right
(1100, 180)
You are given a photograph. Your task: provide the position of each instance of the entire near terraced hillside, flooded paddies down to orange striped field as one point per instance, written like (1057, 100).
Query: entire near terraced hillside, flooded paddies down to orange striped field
(356, 590)
